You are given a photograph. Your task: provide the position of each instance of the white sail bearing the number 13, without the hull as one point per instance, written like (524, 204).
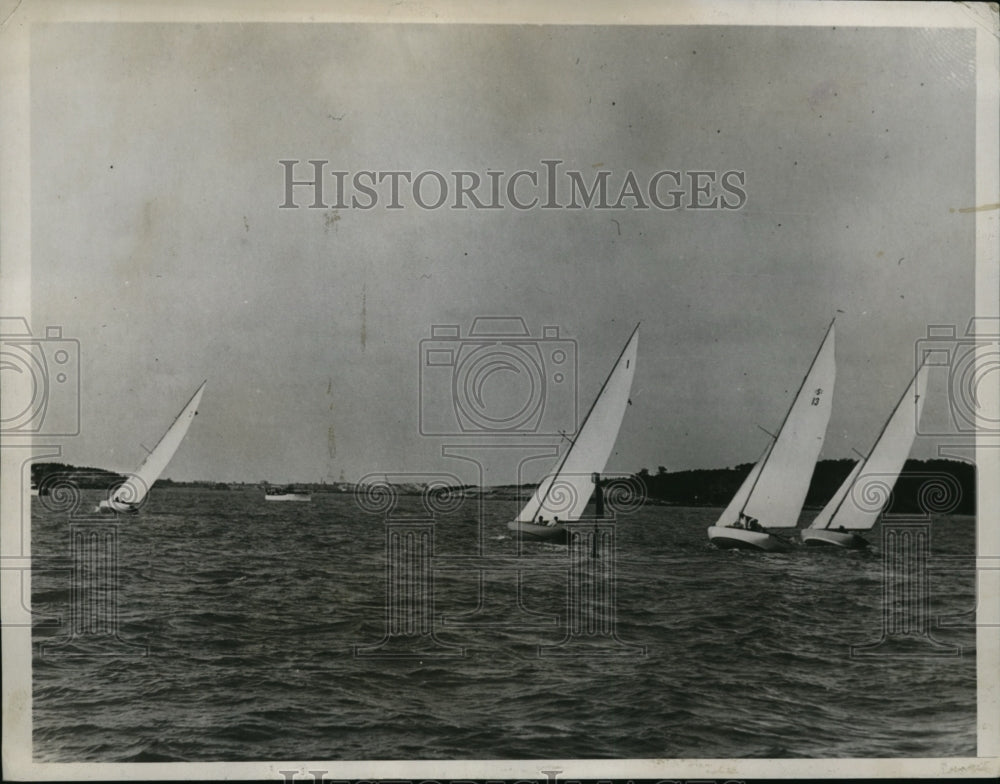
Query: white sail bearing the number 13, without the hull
(780, 490)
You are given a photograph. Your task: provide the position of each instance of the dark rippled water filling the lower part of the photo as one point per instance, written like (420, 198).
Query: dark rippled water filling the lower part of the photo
(249, 630)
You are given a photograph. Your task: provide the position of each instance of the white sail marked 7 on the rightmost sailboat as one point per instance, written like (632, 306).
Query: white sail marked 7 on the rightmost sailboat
(858, 508)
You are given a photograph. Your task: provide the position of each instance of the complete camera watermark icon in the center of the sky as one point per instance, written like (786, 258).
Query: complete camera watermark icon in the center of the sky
(498, 379)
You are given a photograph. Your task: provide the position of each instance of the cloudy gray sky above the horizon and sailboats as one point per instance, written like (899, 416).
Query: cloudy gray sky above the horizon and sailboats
(157, 240)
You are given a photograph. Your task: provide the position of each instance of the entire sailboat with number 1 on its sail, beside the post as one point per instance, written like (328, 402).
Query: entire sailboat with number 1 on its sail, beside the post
(563, 495)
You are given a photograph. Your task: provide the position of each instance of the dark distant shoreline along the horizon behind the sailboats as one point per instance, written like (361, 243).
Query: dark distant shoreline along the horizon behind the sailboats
(946, 485)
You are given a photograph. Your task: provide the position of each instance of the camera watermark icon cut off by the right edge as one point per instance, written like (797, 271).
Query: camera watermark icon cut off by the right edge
(970, 363)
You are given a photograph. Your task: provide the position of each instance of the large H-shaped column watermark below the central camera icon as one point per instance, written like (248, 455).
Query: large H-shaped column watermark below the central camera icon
(587, 565)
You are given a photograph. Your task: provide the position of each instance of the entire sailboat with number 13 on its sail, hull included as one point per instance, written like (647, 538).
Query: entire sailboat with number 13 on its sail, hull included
(774, 491)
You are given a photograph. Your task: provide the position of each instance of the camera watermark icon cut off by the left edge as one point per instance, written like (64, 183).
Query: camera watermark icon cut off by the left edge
(41, 381)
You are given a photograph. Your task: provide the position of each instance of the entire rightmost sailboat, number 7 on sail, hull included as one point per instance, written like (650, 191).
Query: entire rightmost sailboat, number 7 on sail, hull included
(843, 515)
